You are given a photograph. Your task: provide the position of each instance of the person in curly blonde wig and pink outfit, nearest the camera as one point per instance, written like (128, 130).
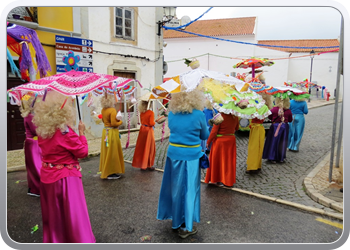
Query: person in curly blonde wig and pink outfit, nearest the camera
(64, 210)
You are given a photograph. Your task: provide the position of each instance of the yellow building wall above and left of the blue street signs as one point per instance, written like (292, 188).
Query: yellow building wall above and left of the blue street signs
(53, 17)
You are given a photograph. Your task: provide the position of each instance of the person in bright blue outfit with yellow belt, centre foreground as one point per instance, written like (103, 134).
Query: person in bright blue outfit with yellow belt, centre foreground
(179, 198)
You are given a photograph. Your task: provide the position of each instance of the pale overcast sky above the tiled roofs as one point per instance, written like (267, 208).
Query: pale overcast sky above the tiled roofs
(278, 23)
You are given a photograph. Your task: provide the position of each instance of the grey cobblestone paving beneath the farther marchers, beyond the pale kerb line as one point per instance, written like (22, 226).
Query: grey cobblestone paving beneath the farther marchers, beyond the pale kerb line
(281, 180)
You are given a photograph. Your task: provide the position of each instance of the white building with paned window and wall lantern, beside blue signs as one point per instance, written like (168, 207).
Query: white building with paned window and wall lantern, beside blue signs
(126, 44)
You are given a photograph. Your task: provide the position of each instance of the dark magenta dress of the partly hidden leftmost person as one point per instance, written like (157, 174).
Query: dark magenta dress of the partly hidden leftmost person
(32, 154)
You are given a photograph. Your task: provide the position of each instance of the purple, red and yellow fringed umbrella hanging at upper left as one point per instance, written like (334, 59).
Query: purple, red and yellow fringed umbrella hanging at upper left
(26, 44)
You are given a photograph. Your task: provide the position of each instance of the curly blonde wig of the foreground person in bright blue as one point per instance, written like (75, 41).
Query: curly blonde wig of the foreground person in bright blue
(185, 102)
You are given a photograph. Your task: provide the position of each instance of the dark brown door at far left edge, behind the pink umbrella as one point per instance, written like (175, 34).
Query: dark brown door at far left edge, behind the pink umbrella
(15, 126)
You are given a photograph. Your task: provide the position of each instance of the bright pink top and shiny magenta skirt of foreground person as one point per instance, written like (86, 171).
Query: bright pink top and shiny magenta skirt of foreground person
(64, 211)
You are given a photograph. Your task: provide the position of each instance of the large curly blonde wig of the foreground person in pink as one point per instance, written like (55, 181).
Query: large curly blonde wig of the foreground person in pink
(49, 116)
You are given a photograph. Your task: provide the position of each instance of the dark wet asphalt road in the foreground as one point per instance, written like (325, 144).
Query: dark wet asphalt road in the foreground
(124, 211)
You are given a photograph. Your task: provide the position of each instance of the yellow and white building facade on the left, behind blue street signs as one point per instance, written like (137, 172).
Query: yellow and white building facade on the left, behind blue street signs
(125, 44)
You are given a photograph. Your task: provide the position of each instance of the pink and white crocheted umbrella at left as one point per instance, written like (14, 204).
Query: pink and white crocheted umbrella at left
(71, 83)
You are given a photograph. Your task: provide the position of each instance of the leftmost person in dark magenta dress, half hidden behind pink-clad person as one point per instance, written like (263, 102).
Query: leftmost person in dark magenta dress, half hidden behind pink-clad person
(32, 151)
